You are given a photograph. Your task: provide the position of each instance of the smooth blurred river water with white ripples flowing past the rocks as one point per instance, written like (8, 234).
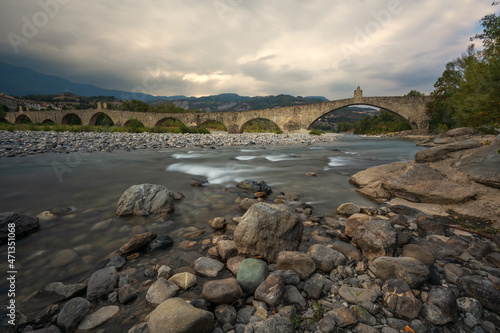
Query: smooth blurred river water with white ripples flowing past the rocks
(90, 185)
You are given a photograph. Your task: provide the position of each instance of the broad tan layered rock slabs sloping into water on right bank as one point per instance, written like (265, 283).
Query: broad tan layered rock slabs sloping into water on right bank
(459, 175)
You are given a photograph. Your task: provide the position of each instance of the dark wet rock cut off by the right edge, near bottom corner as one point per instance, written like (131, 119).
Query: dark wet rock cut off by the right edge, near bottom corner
(484, 293)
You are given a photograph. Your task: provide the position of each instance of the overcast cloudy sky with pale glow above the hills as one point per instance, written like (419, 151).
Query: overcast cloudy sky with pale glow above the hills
(249, 47)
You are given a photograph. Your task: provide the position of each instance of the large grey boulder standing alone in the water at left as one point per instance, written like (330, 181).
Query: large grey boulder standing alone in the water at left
(146, 199)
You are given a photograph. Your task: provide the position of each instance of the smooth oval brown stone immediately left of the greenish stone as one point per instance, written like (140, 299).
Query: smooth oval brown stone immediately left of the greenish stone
(226, 291)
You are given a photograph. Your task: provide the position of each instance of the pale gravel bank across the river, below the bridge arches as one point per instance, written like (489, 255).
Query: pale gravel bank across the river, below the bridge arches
(22, 143)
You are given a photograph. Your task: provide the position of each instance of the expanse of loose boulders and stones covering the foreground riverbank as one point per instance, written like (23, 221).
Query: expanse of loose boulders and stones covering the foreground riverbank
(280, 268)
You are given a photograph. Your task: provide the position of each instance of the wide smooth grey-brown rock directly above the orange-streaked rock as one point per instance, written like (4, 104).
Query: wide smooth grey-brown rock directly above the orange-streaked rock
(410, 270)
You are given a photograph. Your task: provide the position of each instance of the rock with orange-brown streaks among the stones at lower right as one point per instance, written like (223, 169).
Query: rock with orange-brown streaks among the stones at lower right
(399, 298)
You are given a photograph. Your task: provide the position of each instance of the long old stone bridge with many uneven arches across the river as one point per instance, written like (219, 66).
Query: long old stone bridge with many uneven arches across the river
(290, 119)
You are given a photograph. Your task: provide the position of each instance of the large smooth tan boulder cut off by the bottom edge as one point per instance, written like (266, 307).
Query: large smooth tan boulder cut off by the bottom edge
(177, 316)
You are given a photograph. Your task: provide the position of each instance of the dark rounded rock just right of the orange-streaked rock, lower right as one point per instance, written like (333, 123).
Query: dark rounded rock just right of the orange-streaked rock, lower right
(441, 307)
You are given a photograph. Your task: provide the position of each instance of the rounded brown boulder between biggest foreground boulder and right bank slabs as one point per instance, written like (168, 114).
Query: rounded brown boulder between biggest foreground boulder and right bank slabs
(375, 239)
